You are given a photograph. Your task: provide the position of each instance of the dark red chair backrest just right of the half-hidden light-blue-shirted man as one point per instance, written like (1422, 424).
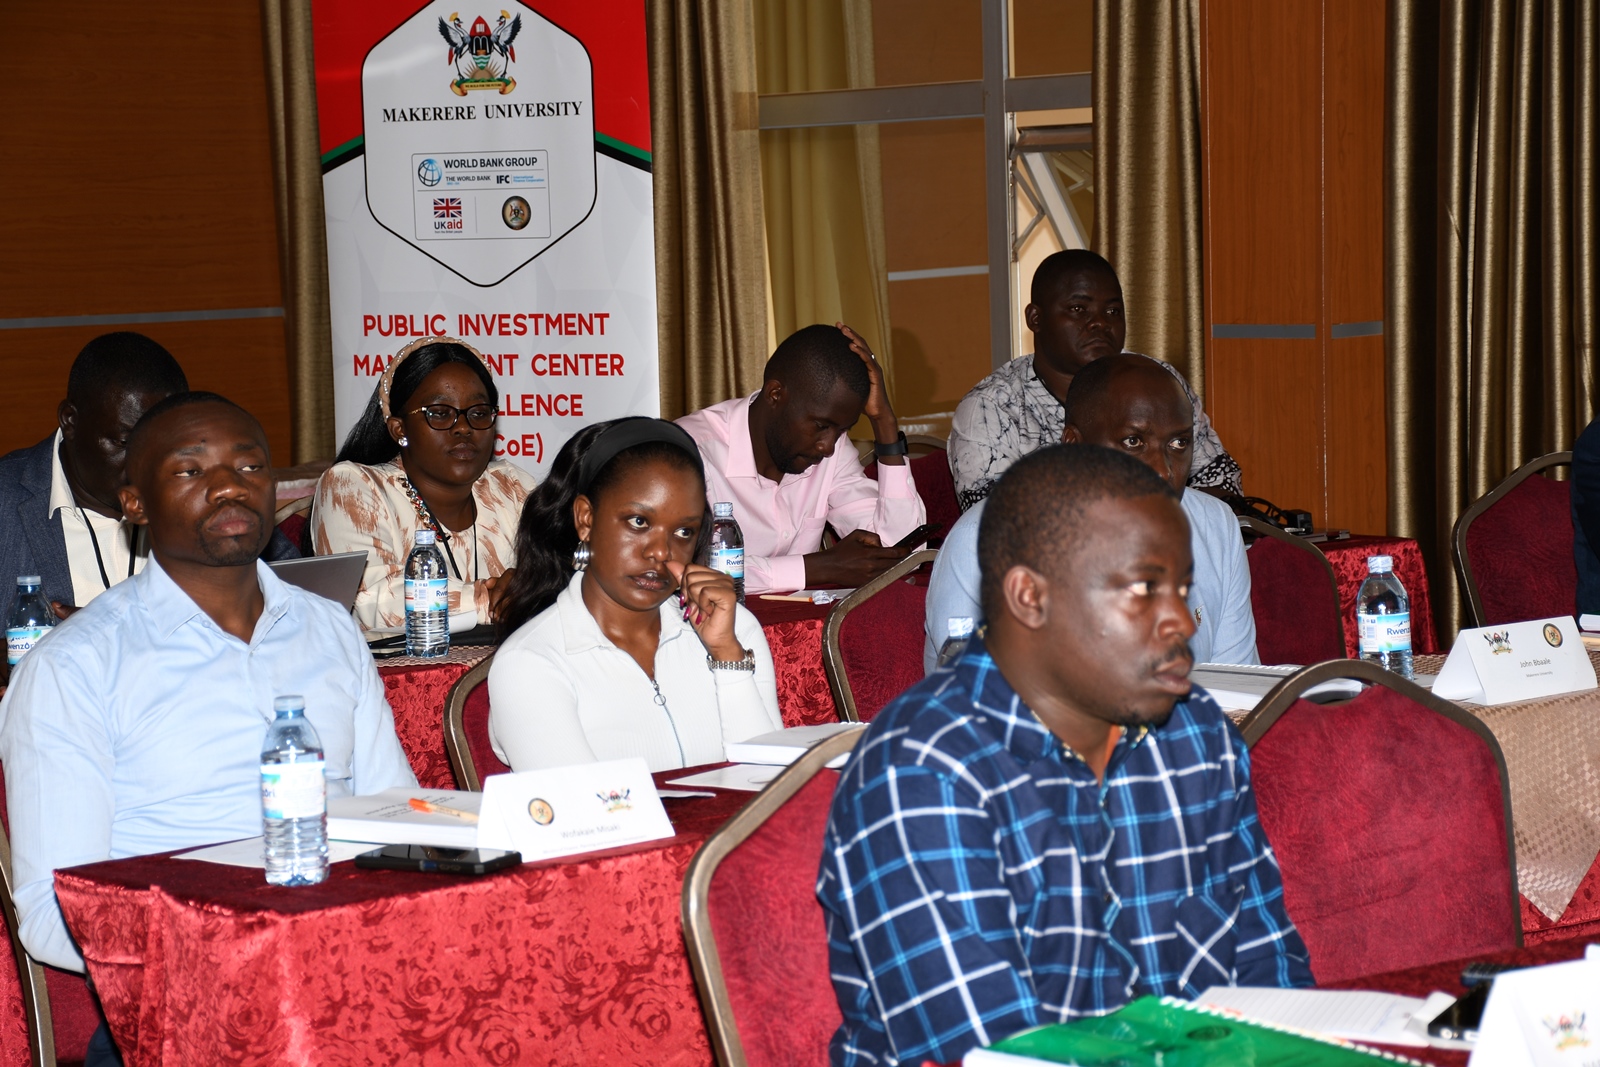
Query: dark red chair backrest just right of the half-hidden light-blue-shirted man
(1295, 599)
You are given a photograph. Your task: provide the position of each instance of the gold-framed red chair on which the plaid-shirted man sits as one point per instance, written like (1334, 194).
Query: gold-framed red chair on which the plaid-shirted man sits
(754, 929)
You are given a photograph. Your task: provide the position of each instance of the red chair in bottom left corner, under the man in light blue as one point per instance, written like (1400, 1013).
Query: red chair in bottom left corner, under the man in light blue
(57, 1007)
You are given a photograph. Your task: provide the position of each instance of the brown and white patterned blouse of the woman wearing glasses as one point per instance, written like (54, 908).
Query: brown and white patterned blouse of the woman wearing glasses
(367, 508)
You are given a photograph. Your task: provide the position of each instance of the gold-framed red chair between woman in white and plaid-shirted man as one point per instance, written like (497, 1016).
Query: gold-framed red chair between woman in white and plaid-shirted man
(881, 655)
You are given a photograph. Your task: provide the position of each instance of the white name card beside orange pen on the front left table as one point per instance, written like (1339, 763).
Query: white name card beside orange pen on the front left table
(569, 810)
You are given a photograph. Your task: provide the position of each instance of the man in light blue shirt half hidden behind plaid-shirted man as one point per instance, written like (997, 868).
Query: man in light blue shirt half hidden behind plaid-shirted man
(1132, 404)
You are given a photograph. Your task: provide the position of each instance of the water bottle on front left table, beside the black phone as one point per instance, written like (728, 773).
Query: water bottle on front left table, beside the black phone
(294, 797)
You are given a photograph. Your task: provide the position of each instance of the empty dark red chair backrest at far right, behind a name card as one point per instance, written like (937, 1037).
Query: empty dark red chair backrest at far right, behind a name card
(1514, 548)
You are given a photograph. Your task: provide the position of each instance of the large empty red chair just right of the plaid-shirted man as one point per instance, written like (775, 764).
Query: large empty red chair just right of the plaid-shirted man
(1391, 820)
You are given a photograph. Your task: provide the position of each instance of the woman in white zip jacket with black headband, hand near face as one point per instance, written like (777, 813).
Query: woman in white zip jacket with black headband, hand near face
(618, 644)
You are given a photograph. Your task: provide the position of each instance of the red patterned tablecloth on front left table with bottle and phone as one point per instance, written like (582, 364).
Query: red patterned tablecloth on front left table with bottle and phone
(567, 962)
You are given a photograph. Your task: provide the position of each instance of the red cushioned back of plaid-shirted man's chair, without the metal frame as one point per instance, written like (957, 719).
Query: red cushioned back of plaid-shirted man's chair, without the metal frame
(772, 935)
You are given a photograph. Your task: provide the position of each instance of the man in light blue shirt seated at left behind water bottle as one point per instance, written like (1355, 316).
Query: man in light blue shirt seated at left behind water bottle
(137, 725)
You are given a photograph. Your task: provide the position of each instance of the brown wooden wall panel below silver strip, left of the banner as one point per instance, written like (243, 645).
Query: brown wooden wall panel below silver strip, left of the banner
(241, 359)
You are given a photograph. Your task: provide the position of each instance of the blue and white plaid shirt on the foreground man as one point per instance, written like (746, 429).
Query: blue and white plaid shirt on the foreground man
(978, 881)
